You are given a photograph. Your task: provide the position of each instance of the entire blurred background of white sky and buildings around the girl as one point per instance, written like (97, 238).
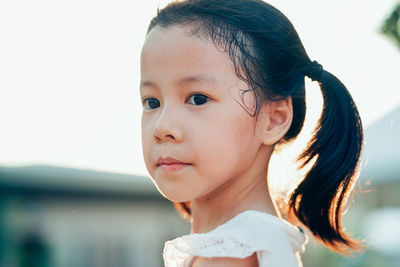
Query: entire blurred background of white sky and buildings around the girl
(74, 190)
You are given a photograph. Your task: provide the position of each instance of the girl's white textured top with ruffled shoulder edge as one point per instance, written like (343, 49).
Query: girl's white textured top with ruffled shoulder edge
(275, 241)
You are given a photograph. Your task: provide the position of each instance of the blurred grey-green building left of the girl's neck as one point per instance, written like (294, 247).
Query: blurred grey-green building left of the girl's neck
(60, 217)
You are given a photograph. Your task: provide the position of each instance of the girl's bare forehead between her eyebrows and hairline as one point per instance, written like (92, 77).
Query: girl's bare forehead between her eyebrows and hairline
(172, 52)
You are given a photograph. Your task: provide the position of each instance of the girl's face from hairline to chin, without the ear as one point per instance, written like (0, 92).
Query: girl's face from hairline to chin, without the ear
(194, 113)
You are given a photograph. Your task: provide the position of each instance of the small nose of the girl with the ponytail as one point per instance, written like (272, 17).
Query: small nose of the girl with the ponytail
(167, 127)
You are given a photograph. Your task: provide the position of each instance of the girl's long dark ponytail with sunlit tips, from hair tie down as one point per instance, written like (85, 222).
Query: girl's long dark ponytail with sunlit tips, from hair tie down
(335, 147)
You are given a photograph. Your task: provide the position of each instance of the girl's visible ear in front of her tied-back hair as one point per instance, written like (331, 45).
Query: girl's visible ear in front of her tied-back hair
(274, 120)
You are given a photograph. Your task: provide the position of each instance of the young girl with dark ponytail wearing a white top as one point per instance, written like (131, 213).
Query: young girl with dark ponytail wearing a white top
(222, 84)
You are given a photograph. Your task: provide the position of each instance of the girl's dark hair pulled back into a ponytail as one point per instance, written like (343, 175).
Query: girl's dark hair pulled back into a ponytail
(268, 55)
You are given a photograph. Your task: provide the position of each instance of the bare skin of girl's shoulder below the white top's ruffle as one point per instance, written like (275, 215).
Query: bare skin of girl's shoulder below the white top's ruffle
(250, 261)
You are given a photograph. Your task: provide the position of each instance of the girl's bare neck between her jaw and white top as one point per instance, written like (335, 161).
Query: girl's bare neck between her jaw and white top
(247, 192)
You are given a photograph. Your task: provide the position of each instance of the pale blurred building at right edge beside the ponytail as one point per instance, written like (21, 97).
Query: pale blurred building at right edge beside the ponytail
(381, 172)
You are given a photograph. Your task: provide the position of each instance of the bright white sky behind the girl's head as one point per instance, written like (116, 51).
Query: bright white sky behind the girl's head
(69, 74)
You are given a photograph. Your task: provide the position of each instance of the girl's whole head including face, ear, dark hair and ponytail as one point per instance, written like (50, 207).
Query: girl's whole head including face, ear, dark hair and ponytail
(239, 66)
